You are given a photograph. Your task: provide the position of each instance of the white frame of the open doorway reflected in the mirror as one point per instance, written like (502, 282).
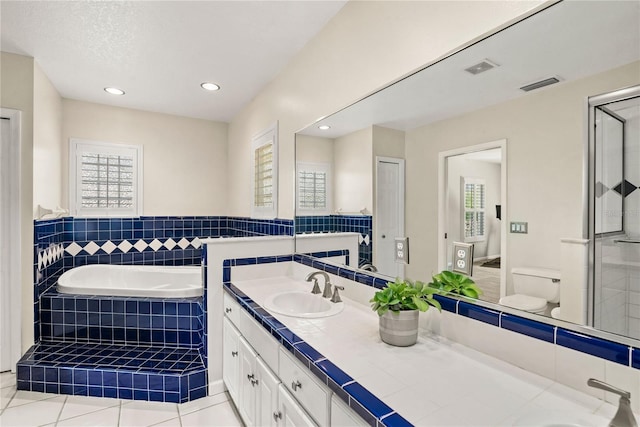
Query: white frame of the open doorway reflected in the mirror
(443, 186)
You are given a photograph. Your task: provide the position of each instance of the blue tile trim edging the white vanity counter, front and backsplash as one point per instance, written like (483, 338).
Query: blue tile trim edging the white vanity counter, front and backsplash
(375, 412)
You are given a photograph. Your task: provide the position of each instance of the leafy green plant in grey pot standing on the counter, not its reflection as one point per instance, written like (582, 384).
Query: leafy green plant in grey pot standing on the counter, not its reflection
(398, 305)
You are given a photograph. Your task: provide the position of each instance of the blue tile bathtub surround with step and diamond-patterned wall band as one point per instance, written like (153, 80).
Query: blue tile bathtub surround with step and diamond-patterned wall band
(124, 347)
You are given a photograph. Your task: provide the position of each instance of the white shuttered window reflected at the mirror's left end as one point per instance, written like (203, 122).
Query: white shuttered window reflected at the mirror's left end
(314, 185)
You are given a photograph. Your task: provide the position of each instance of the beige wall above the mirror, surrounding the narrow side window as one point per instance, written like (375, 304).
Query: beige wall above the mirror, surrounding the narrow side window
(365, 46)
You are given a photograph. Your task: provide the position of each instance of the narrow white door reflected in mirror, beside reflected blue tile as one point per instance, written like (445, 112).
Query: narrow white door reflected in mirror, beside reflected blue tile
(389, 214)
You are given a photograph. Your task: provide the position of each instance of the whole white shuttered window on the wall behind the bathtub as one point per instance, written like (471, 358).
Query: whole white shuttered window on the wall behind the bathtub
(105, 179)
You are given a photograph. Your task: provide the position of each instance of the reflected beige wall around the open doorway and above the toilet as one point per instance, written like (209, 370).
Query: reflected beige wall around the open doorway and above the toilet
(545, 141)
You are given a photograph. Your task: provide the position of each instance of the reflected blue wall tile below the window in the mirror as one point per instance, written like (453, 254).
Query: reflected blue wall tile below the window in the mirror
(362, 224)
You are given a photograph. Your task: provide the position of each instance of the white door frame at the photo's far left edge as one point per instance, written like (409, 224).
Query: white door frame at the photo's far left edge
(11, 224)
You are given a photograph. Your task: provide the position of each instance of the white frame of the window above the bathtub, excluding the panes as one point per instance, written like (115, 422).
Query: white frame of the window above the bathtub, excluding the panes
(77, 146)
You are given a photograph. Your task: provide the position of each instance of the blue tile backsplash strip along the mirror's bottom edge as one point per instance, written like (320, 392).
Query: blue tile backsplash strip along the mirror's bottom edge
(584, 343)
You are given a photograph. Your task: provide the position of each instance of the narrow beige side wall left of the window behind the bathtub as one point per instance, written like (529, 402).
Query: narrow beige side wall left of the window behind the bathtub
(47, 142)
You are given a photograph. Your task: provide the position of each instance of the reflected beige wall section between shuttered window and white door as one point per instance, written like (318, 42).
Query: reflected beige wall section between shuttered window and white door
(352, 172)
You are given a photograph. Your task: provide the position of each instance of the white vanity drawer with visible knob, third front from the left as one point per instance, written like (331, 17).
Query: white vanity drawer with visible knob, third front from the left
(311, 393)
